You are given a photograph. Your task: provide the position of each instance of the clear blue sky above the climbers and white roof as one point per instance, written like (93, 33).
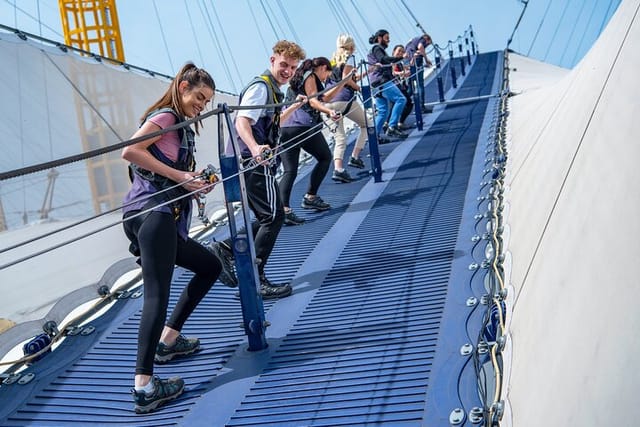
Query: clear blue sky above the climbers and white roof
(231, 38)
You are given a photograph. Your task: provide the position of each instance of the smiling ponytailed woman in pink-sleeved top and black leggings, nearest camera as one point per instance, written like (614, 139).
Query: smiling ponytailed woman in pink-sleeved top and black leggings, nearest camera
(156, 220)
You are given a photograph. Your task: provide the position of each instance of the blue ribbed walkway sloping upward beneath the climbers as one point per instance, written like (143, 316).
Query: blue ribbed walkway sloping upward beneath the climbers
(354, 345)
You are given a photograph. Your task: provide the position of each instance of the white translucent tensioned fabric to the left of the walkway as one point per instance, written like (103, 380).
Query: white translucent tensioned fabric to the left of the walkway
(58, 104)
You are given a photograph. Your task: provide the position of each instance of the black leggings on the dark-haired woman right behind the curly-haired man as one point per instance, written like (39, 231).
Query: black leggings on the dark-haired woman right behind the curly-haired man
(315, 145)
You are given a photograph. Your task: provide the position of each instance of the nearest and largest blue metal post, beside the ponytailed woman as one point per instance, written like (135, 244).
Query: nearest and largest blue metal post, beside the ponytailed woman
(243, 245)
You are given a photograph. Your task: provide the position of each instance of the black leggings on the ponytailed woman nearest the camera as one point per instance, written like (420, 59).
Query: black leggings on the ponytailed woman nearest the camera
(160, 249)
